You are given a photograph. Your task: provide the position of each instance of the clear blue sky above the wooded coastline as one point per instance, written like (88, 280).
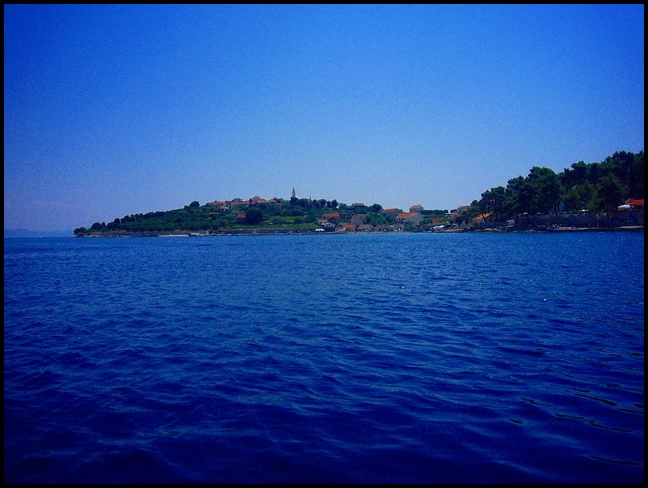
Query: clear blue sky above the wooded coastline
(114, 110)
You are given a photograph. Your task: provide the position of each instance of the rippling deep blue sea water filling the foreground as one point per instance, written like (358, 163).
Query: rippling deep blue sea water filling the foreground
(397, 358)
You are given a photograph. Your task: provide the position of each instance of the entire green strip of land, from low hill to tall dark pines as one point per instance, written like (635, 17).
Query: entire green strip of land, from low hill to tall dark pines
(594, 188)
